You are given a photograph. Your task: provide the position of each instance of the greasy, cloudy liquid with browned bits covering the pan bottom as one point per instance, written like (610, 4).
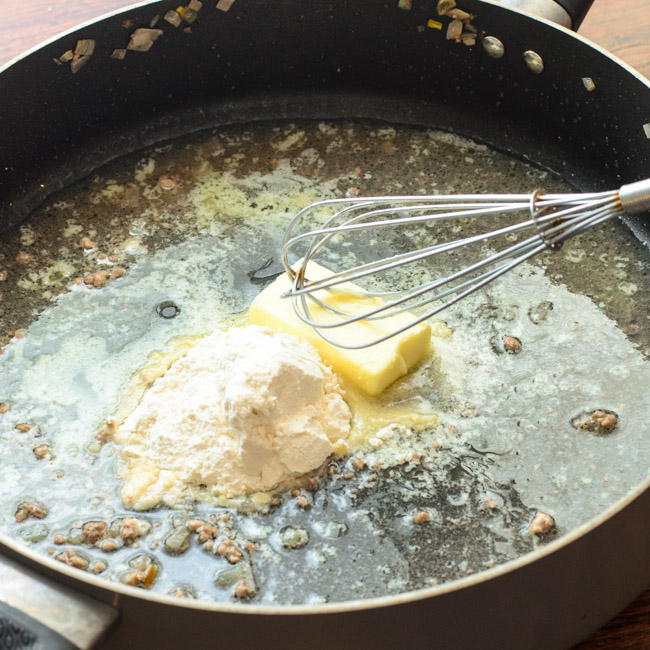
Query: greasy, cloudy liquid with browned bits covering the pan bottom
(196, 223)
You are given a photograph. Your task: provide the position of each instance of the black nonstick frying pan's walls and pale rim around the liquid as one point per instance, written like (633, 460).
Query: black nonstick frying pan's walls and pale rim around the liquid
(263, 60)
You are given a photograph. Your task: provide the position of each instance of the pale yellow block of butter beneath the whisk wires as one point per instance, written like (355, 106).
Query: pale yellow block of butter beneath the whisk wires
(373, 368)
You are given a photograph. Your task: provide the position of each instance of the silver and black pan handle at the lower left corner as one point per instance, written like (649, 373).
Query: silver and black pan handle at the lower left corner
(36, 612)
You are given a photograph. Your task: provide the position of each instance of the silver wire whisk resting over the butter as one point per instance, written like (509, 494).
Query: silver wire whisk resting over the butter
(550, 219)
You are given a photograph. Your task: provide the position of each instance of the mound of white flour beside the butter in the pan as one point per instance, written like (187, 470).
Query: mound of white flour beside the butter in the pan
(243, 411)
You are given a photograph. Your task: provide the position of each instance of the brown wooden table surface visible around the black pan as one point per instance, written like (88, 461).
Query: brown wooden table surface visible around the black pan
(621, 26)
